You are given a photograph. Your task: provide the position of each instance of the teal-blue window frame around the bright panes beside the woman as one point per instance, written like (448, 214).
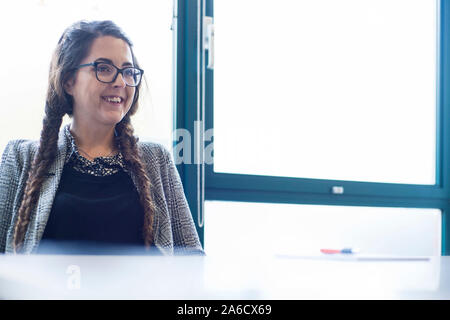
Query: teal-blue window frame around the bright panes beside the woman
(195, 88)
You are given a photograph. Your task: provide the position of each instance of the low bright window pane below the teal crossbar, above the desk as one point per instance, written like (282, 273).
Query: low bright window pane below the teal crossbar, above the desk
(249, 228)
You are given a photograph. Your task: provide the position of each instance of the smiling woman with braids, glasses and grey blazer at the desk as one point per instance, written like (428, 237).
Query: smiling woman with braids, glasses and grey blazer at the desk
(92, 181)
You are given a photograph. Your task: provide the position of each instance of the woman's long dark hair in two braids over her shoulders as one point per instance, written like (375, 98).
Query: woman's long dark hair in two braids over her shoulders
(72, 48)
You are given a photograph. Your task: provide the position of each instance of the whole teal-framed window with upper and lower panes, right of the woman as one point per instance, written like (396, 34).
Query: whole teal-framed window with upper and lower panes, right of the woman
(321, 110)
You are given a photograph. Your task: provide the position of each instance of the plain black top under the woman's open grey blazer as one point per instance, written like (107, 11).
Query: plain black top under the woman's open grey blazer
(100, 209)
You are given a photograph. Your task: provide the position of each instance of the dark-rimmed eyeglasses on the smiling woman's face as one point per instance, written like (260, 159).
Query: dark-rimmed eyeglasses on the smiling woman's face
(107, 73)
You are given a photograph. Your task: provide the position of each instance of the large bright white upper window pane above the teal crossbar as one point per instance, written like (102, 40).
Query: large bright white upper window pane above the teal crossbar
(341, 90)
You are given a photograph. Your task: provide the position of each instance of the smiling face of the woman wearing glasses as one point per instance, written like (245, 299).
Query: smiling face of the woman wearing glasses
(95, 102)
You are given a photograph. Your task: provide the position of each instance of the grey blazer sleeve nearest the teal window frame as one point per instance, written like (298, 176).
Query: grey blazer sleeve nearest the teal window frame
(185, 235)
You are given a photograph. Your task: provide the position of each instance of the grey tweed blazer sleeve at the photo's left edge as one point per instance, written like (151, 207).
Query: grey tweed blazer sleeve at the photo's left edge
(9, 183)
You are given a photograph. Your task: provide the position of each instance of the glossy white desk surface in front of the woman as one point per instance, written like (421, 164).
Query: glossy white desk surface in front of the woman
(195, 277)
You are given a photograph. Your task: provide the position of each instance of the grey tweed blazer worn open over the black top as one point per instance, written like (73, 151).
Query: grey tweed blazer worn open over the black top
(173, 225)
